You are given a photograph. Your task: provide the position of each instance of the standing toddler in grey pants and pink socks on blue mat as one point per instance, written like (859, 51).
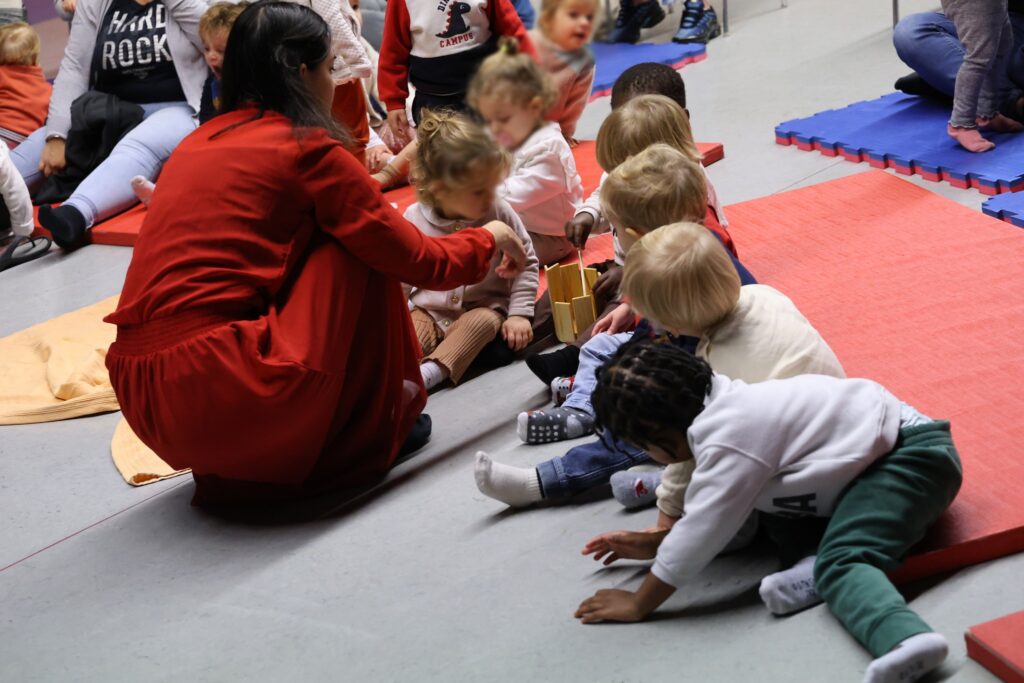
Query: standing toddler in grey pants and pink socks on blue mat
(984, 27)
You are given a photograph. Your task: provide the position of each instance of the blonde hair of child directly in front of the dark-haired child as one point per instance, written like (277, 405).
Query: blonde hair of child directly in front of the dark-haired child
(641, 123)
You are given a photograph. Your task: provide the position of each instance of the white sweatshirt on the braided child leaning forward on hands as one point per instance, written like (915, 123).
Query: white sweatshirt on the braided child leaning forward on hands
(783, 447)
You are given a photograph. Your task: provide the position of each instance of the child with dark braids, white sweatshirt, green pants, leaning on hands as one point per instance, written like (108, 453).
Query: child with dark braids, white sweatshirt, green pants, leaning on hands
(847, 451)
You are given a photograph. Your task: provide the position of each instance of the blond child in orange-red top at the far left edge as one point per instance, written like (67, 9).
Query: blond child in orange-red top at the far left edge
(25, 95)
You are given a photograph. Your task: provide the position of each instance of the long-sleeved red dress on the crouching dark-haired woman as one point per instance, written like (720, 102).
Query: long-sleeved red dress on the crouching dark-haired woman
(264, 339)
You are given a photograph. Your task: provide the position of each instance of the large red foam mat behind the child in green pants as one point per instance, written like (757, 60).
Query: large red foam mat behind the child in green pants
(923, 295)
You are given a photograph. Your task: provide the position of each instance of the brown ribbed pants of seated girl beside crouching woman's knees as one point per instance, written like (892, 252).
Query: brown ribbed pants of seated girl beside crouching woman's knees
(456, 348)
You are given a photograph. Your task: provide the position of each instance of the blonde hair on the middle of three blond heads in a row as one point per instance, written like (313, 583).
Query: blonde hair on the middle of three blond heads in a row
(658, 187)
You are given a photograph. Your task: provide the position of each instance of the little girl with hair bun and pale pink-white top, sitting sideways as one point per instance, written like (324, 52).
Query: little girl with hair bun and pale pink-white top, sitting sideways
(513, 95)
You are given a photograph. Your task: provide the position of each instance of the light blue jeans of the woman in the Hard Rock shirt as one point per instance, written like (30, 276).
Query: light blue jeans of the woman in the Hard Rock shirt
(108, 191)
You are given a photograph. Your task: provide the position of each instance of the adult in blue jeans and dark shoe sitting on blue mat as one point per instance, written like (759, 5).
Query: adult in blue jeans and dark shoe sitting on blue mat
(927, 42)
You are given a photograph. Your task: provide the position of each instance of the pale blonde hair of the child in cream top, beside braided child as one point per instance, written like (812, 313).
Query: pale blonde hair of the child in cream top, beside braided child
(681, 278)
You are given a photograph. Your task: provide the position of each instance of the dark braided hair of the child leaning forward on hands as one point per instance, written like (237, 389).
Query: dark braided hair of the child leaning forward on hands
(650, 390)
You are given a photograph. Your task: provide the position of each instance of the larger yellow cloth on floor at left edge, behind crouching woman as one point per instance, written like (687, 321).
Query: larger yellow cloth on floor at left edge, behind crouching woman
(55, 370)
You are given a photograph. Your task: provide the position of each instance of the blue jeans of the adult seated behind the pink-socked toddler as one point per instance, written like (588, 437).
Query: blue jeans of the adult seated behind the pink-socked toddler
(927, 42)
